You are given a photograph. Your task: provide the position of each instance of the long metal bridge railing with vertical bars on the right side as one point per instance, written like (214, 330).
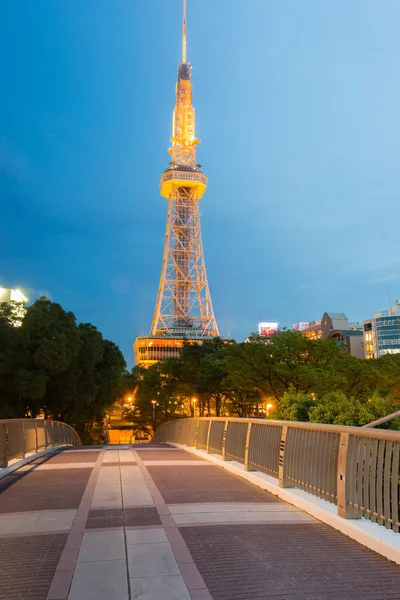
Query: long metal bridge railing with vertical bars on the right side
(355, 468)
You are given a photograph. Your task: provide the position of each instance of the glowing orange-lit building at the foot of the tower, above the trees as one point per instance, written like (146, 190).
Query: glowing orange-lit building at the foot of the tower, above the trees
(149, 349)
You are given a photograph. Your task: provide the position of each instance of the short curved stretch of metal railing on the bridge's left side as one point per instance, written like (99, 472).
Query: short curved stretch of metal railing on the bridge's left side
(19, 437)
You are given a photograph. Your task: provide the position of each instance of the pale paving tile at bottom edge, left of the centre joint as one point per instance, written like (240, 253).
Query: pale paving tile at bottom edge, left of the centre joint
(103, 580)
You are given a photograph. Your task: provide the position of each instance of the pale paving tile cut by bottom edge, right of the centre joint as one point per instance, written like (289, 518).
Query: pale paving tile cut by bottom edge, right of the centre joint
(156, 588)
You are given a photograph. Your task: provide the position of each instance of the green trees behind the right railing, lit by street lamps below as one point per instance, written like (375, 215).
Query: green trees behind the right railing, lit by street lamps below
(296, 377)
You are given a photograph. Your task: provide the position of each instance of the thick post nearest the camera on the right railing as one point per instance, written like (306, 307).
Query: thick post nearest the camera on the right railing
(346, 471)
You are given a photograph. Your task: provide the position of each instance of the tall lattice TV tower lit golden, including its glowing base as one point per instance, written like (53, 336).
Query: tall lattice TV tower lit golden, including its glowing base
(183, 308)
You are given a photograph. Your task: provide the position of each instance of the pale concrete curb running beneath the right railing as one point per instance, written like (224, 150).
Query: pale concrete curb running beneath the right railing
(375, 537)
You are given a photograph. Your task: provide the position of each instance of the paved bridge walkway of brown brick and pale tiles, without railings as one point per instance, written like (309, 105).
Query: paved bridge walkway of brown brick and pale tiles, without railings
(157, 523)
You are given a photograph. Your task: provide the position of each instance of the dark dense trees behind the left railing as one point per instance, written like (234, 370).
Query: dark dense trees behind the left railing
(53, 366)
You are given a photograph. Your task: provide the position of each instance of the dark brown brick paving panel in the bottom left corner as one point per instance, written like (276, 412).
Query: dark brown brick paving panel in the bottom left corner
(28, 565)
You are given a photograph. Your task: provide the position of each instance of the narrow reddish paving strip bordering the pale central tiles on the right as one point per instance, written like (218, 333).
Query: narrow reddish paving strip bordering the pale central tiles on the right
(190, 573)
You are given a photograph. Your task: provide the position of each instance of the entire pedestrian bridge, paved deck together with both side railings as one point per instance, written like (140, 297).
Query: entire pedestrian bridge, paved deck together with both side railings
(226, 509)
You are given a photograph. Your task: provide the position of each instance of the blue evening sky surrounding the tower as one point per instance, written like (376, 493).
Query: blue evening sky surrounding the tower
(297, 103)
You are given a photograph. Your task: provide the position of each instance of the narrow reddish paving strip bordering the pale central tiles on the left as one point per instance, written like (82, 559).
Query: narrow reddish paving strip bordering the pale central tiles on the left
(61, 584)
